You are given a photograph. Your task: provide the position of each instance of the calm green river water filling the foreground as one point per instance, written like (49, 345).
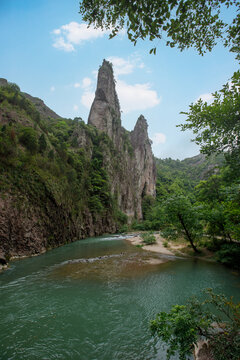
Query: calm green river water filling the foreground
(93, 299)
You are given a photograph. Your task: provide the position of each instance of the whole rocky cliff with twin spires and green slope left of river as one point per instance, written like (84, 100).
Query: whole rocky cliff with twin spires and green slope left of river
(71, 180)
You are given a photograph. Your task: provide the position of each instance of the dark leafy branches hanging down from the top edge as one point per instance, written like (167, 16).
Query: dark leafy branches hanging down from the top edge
(185, 23)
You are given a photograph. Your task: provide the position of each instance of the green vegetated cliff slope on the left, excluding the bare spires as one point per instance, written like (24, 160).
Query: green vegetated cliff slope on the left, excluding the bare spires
(52, 187)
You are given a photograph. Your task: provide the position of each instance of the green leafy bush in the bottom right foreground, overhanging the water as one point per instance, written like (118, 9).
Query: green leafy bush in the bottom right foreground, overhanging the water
(184, 325)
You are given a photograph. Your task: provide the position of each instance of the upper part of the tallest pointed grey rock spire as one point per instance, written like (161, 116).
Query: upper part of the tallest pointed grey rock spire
(105, 111)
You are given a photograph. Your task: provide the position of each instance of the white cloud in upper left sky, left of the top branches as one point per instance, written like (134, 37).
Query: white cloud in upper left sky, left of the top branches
(69, 35)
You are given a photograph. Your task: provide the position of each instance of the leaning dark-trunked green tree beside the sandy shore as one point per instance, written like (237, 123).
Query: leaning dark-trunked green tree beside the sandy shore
(182, 218)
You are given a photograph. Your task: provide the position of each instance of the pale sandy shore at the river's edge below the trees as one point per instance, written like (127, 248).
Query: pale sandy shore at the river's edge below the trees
(157, 247)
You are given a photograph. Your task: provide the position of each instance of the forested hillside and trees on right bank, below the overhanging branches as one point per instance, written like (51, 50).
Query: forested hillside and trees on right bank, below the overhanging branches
(197, 199)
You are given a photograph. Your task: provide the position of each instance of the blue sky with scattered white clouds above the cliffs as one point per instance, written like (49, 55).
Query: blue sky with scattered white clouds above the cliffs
(48, 51)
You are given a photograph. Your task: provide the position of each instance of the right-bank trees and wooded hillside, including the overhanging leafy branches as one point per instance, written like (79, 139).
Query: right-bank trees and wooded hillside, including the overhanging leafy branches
(199, 198)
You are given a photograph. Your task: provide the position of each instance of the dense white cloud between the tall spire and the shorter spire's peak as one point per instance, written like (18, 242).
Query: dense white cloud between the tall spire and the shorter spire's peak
(136, 97)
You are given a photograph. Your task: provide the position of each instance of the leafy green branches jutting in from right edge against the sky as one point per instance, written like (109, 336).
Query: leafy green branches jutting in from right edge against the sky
(217, 125)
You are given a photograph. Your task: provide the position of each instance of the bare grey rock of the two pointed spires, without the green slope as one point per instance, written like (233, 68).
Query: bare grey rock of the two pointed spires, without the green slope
(137, 175)
